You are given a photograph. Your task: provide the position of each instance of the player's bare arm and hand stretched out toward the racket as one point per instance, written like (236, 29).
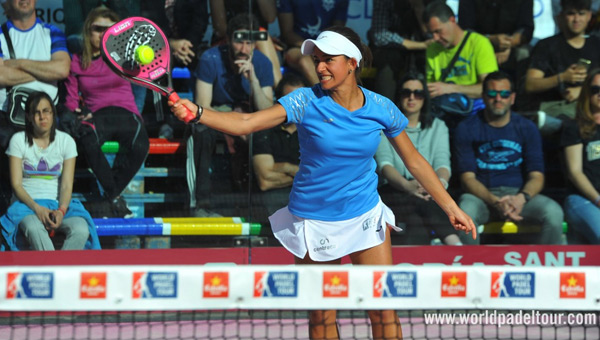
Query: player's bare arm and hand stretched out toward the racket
(233, 123)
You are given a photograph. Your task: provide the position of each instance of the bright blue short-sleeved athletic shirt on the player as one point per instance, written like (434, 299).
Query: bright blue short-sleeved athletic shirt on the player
(336, 179)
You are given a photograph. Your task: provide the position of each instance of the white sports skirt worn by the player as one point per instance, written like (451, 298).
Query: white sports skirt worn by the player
(331, 240)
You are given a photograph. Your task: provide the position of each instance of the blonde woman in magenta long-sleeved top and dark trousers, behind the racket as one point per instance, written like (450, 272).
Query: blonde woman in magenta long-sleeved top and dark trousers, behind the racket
(107, 113)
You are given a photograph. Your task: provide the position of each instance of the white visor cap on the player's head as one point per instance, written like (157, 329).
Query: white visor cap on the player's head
(332, 43)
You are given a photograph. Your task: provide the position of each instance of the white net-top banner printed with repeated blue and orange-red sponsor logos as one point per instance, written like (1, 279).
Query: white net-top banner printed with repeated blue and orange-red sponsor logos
(131, 288)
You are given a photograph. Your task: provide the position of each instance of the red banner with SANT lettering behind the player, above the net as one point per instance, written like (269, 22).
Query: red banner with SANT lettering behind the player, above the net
(485, 255)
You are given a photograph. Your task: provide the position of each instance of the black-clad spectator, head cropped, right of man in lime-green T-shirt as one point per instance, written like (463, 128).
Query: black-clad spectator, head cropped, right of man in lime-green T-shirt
(507, 23)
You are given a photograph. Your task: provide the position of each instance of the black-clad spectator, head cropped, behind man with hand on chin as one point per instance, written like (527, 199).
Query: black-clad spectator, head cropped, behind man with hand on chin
(264, 10)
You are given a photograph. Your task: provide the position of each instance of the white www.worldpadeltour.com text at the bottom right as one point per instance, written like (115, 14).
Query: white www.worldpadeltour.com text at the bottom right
(500, 319)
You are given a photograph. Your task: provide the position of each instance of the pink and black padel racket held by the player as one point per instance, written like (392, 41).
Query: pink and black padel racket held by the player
(119, 45)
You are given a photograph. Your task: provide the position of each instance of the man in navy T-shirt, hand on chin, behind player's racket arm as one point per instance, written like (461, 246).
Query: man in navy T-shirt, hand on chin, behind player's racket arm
(233, 76)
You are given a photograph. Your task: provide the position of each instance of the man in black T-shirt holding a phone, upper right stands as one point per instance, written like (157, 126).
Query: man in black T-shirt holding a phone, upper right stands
(555, 74)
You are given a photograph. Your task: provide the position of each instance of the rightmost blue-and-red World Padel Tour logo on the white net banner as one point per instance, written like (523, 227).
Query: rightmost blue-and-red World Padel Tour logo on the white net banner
(513, 284)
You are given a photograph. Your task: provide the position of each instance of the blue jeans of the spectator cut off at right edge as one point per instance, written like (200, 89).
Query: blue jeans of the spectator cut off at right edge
(584, 217)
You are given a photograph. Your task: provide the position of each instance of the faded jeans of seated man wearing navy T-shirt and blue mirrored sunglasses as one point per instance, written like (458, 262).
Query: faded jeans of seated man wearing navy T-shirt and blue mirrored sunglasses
(539, 210)
